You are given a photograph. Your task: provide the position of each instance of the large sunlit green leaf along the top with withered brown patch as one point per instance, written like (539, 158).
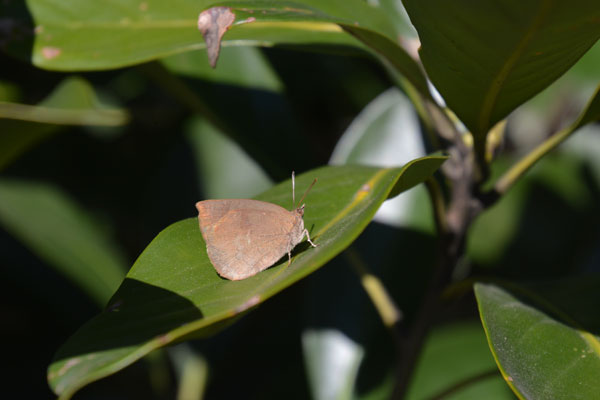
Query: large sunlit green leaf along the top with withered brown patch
(83, 35)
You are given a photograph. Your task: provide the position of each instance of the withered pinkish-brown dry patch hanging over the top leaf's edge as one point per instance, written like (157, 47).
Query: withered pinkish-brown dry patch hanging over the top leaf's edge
(213, 23)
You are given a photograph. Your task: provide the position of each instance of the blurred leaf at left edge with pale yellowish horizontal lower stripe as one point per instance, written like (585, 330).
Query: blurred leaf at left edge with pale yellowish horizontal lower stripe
(73, 102)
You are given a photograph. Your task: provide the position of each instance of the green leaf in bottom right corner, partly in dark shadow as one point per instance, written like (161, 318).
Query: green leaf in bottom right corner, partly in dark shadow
(539, 345)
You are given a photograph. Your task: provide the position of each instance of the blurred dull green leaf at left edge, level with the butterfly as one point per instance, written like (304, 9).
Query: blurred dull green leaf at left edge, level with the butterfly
(59, 232)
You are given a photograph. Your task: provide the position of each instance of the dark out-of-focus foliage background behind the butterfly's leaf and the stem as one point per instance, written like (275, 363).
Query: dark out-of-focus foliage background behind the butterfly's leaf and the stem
(116, 156)
